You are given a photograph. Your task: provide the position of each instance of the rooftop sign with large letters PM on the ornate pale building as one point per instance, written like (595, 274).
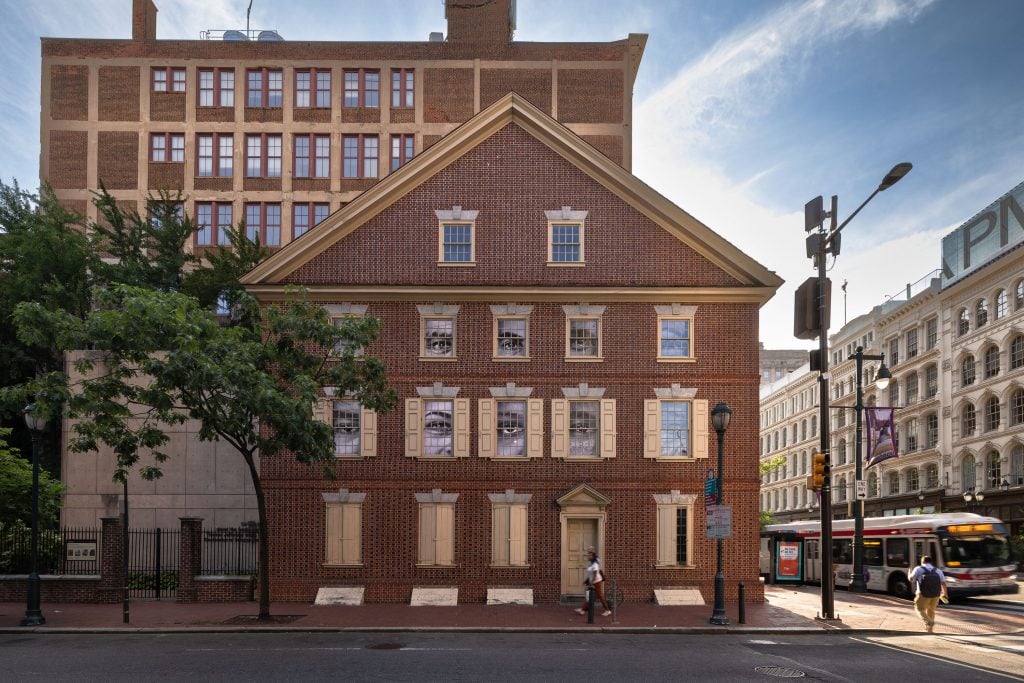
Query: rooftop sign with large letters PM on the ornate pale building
(998, 229)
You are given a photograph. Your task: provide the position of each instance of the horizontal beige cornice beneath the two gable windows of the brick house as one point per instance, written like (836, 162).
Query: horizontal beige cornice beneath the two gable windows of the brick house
(757, 295)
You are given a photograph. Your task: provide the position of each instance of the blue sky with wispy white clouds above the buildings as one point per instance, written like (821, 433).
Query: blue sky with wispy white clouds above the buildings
(745, 110)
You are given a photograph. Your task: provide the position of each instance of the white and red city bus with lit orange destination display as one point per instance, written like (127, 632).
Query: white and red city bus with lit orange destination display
(973, 552)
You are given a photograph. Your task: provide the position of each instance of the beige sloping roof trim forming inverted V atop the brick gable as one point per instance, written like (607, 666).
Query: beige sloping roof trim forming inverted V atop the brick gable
(515, 110)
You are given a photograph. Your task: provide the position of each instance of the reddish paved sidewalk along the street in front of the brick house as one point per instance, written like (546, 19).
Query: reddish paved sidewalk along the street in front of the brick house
(787, 610)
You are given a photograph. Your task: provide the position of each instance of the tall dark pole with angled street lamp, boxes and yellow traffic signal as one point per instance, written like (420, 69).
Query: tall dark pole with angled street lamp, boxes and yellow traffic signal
(820, 245)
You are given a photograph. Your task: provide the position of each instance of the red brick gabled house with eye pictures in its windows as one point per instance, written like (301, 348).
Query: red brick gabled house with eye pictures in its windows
(558, 332)
